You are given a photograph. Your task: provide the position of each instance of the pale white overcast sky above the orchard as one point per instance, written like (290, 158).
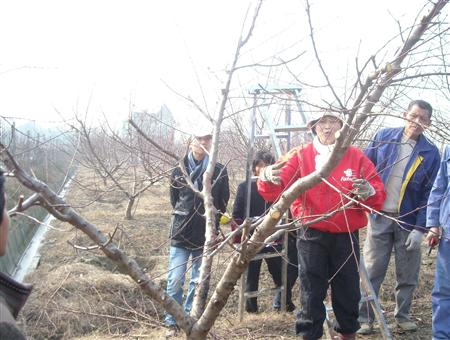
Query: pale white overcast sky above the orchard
(63, 58)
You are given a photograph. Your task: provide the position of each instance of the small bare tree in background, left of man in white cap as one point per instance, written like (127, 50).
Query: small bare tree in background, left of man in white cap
(130, 166)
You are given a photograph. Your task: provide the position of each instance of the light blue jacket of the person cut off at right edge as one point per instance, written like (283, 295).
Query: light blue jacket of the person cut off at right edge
(438, 211)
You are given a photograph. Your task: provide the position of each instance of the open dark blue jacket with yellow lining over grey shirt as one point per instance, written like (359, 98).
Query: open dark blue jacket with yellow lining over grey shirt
(418, 177)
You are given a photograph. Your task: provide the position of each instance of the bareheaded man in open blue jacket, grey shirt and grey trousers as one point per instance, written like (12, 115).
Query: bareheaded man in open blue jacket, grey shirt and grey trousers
(407, 163)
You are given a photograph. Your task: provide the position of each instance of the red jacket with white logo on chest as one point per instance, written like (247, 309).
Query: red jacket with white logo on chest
(321, 198)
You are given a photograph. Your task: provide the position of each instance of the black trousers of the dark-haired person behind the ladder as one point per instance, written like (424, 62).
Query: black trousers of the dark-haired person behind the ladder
(274, 264)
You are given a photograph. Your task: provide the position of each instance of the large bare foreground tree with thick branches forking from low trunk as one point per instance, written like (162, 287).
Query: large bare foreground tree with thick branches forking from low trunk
(371, 84)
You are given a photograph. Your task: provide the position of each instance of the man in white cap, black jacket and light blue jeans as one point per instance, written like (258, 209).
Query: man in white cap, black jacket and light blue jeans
(187, 232)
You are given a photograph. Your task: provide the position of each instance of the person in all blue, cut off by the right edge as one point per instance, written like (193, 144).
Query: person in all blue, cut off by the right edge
(438, 222)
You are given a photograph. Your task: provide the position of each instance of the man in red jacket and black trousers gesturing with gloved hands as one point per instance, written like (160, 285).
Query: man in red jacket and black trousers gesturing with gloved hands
(328, 250)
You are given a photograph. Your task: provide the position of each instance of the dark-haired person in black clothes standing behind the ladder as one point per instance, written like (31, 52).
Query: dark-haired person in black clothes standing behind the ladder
(259, 207)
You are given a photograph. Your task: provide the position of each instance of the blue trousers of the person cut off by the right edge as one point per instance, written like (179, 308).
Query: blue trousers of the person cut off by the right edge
(440, 296)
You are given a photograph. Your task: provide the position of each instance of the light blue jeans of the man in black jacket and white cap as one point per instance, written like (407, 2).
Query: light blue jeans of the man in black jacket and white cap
(178, 266)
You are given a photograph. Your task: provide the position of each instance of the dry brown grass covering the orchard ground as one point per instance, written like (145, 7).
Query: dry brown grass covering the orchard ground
(81, 294)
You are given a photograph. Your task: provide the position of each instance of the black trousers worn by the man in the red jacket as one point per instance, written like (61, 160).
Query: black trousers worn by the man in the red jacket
(327, 259)
